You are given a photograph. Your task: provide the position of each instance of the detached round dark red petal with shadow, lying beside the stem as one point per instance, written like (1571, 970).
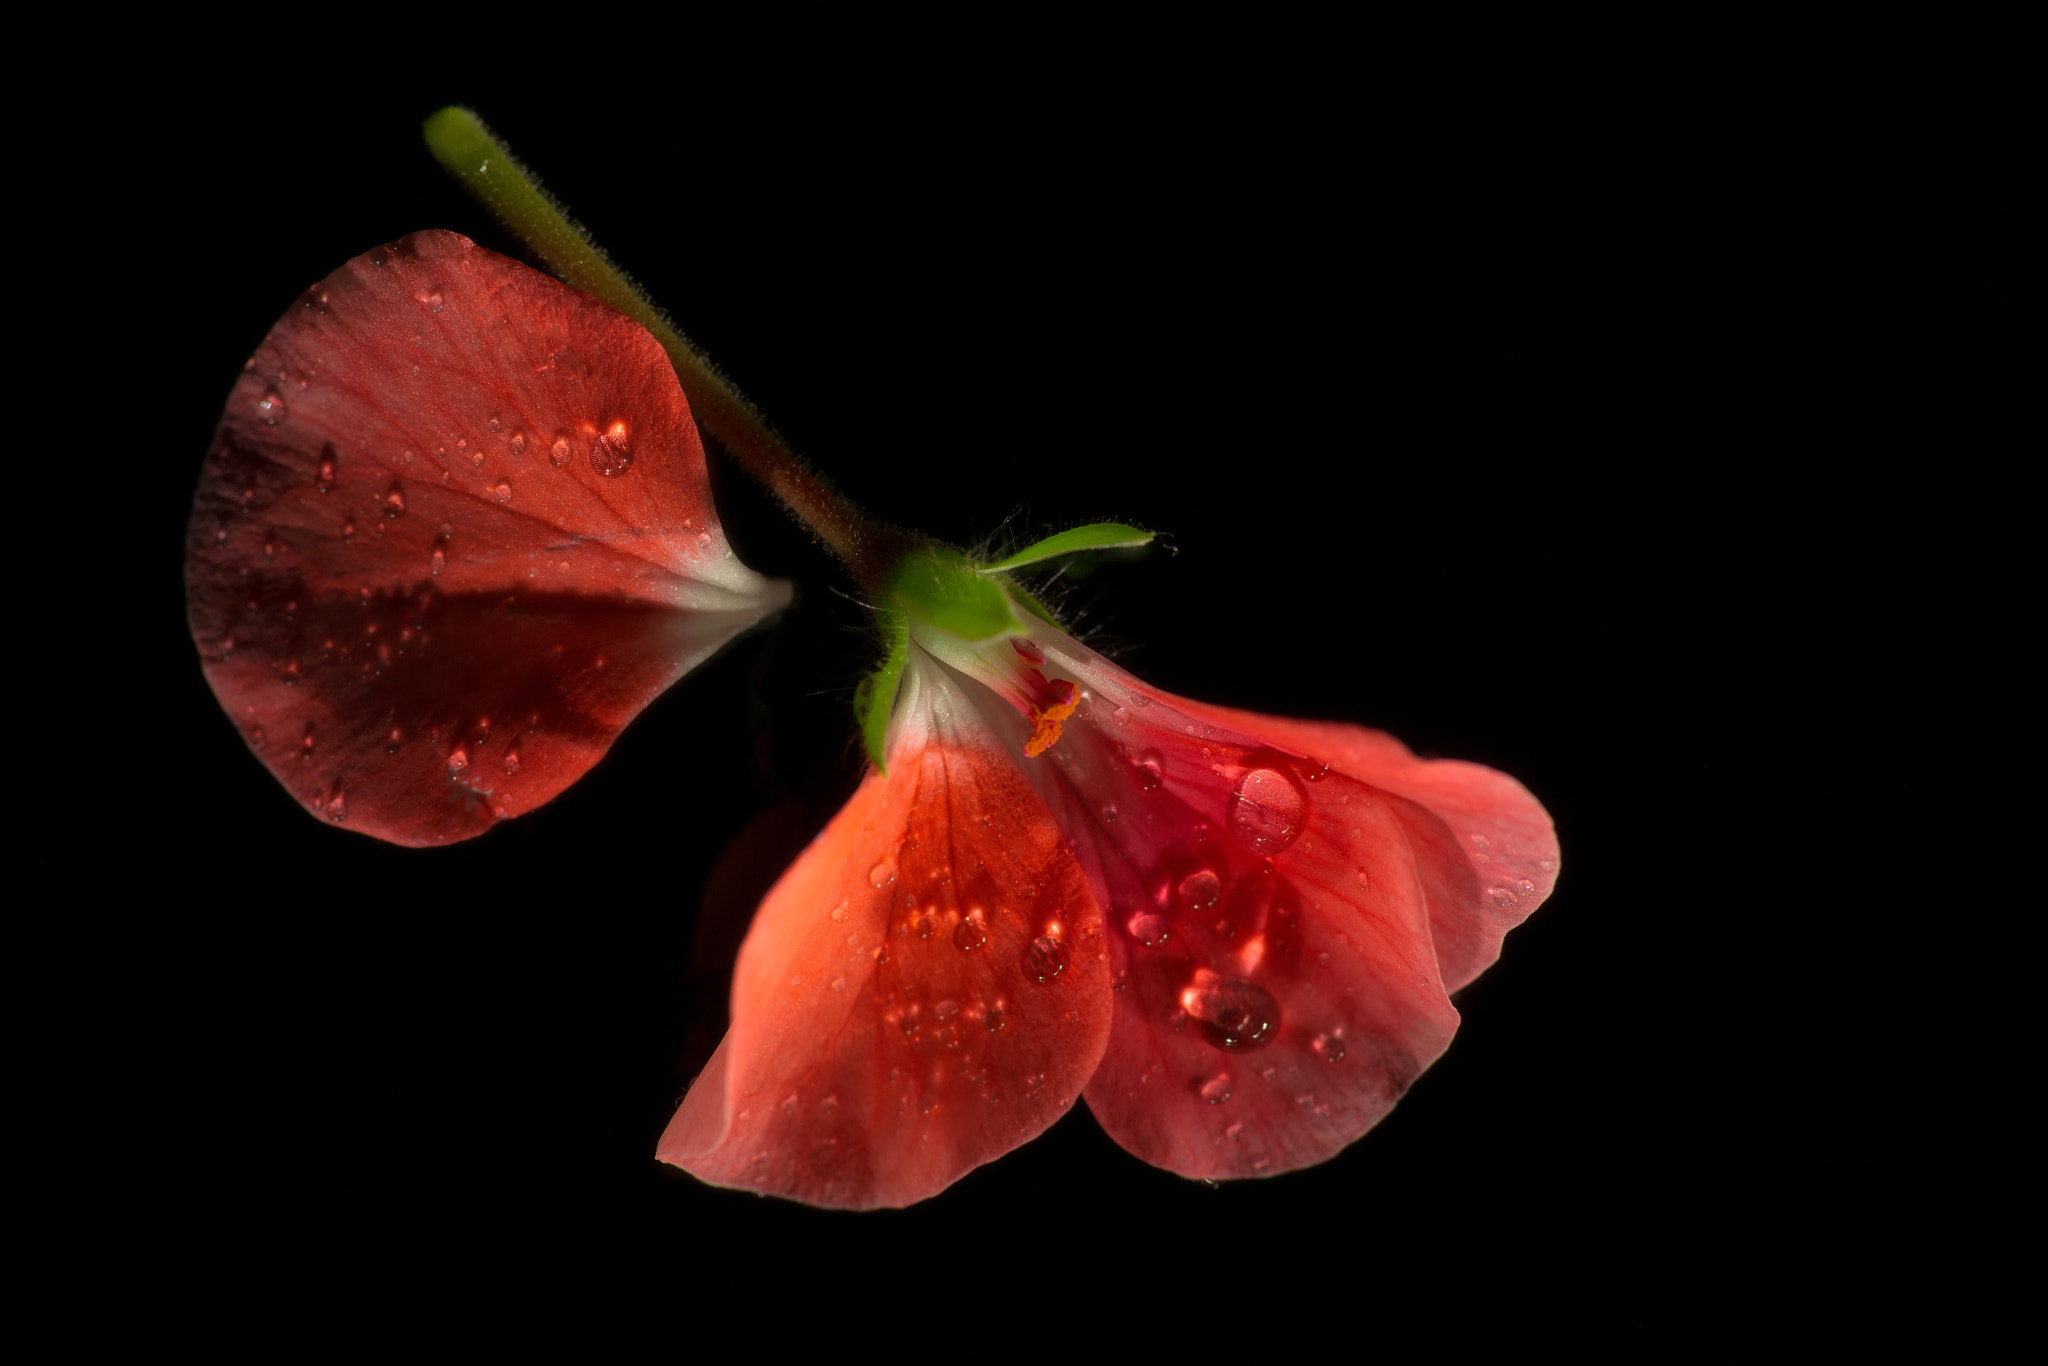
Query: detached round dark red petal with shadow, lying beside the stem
(454, 536)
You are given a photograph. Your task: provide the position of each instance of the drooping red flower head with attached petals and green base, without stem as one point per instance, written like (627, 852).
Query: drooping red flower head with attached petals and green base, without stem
(1234, 935)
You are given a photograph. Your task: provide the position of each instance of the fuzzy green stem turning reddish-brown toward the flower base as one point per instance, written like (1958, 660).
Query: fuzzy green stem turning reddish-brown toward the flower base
(495, 179)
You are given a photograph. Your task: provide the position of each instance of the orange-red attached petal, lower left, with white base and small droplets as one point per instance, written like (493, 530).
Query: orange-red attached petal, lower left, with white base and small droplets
(923, 992)
